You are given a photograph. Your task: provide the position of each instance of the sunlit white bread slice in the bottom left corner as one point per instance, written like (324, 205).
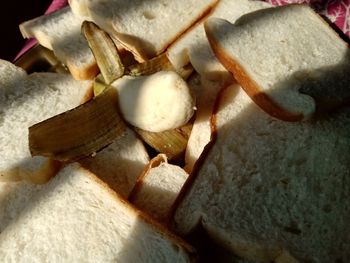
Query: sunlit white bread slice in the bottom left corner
(76, 218)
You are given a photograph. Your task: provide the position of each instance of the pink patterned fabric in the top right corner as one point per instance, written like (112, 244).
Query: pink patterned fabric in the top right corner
(337, 11)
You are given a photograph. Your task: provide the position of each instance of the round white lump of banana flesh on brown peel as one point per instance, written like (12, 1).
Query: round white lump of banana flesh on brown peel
(155, 103)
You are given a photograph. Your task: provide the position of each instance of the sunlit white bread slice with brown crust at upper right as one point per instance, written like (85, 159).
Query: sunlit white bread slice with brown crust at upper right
(287, 59)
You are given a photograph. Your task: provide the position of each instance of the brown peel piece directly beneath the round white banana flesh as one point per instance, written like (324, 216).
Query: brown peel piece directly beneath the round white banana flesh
(172, 143)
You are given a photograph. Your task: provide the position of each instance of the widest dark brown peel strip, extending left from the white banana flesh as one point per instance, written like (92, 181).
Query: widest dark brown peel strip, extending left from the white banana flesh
(79, 132)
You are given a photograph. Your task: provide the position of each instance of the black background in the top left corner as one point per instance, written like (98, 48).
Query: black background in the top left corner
(12, 13)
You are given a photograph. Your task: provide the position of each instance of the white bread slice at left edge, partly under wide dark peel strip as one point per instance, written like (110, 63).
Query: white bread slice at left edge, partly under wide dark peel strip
(40, 96)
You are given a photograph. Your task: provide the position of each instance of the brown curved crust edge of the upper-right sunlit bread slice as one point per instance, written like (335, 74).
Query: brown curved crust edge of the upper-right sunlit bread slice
(248, 84)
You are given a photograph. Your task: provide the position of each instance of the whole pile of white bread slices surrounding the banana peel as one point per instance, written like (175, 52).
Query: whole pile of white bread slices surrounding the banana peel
(266, 172)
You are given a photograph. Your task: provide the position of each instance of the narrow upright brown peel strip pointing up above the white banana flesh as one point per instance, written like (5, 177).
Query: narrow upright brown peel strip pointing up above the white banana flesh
(104, 50)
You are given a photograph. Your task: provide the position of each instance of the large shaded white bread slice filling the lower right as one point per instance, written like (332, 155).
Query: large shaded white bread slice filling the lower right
(270, 188)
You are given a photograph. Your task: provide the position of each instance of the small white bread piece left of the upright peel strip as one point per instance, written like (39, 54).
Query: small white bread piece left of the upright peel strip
(61, 32)
